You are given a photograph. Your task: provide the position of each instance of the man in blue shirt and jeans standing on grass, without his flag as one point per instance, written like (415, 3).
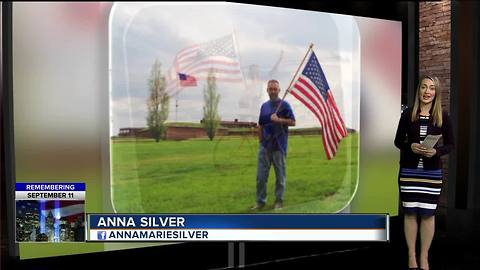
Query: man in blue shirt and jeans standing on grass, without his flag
(276, 116)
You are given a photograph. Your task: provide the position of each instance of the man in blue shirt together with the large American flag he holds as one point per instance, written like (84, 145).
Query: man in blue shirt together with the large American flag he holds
(309, 85)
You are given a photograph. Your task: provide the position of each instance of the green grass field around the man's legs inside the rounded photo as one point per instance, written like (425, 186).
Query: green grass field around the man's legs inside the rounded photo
(219, 176)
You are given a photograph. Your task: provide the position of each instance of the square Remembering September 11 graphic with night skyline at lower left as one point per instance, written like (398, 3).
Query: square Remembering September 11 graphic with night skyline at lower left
(50, 212)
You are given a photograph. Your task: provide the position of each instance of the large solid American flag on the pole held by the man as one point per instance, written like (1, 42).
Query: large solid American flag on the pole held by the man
(311, 88)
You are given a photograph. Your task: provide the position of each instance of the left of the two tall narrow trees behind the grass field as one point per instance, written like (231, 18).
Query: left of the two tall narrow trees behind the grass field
(158, 102)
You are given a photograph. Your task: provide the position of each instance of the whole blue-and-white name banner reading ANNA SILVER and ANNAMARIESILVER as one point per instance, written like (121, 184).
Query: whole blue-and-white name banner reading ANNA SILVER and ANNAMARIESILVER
(237, 227)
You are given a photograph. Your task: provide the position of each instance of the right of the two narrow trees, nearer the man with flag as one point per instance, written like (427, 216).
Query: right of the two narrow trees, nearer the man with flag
(211, 118)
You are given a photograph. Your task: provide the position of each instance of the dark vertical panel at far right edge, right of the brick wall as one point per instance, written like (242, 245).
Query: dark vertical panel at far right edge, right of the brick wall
(464, 186)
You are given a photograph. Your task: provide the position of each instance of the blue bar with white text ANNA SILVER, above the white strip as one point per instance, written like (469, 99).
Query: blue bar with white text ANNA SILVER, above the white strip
(238, 221)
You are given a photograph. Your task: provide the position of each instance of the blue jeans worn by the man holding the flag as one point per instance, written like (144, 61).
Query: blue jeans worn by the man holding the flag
(265, 160)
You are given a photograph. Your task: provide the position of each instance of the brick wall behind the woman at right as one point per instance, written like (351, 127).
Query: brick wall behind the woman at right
(434, 57)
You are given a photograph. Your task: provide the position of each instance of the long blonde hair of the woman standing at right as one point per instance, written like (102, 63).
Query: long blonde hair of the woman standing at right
(436, 111)
